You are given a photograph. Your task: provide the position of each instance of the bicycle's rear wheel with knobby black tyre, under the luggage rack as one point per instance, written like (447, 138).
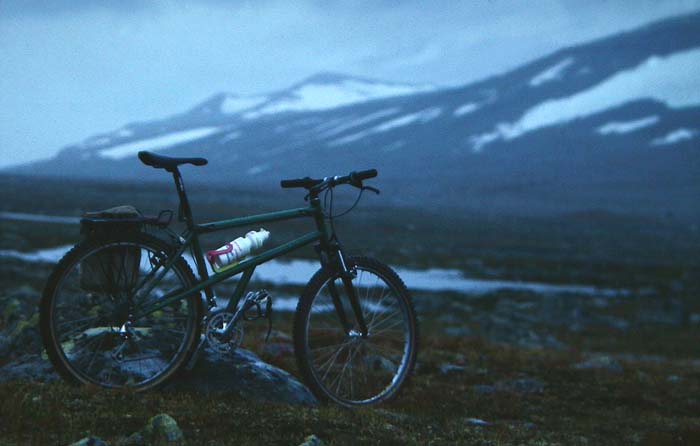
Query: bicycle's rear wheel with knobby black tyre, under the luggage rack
(65, 353)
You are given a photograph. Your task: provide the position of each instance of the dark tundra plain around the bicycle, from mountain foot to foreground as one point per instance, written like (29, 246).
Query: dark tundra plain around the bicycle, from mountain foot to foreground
(503, 367)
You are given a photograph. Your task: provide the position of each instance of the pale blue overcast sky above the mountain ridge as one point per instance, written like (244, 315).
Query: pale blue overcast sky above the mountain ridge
(72, 68)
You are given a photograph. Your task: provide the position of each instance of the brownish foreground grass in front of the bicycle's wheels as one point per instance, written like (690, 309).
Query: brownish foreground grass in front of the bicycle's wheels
(576, 407)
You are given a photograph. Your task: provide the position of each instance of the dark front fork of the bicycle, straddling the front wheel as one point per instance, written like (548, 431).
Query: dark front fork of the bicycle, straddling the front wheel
(333, 258)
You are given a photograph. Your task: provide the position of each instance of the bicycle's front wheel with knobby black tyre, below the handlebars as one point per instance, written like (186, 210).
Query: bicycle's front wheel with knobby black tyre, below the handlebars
(337, 362)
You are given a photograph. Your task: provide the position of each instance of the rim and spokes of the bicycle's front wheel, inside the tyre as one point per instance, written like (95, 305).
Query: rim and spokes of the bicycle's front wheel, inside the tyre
(350, 369)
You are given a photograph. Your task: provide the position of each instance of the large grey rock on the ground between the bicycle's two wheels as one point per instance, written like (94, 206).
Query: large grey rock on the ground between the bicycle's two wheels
(244, 373)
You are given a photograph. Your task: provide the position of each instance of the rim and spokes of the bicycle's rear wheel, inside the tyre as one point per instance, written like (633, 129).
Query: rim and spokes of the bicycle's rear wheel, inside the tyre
(90, 309)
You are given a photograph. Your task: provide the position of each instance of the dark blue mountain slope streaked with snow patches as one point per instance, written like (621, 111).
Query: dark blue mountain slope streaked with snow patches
(611, 124)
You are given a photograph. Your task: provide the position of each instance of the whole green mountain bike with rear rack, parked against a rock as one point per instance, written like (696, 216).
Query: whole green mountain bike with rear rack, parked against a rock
(123, 308)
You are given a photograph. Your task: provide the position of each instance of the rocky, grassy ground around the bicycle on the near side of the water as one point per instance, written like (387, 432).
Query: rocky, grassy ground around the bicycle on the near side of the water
(501, 368)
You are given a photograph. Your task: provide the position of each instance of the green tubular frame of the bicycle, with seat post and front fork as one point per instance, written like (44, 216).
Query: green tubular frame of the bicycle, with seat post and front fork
(190, 240)
